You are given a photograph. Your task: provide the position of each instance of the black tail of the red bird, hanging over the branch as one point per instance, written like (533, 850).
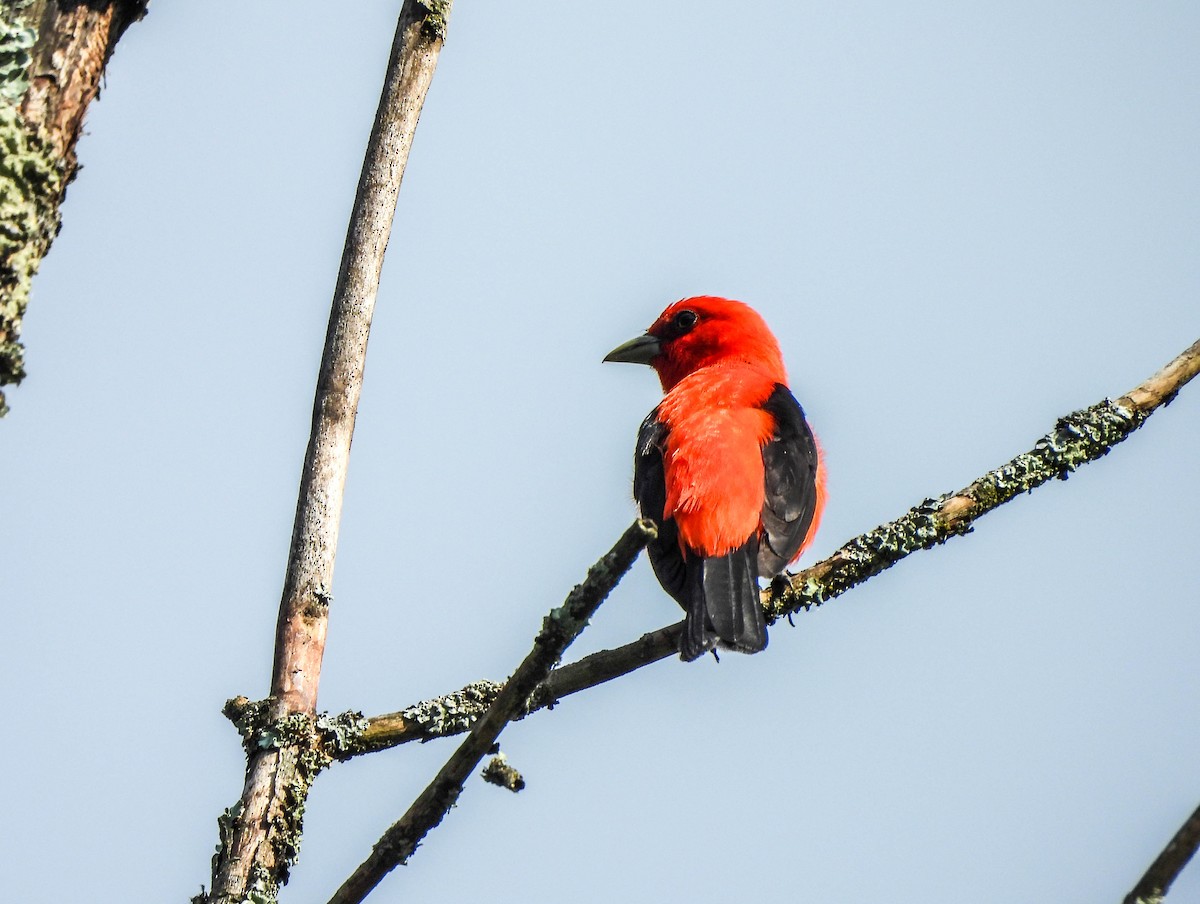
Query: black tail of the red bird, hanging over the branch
(722, 602)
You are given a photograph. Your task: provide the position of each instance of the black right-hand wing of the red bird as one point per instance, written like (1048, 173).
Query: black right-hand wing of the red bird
(790, 462)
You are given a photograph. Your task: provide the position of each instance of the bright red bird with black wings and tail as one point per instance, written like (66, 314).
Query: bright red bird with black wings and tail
(727, 466)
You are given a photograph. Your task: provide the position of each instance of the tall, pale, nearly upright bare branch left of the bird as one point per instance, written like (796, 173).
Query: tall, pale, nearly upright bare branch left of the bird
(261, 834)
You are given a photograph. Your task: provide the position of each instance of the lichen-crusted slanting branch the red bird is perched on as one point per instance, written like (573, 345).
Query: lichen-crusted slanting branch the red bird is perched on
(1076, 440)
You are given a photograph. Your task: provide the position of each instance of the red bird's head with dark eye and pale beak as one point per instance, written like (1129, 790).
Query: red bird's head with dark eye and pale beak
(703, 332)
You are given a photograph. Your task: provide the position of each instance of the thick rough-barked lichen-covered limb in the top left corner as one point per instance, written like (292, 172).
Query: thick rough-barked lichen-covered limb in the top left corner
(52, 59)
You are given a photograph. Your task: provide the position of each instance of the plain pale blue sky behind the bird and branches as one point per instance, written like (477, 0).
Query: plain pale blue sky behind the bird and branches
(962, 220)
